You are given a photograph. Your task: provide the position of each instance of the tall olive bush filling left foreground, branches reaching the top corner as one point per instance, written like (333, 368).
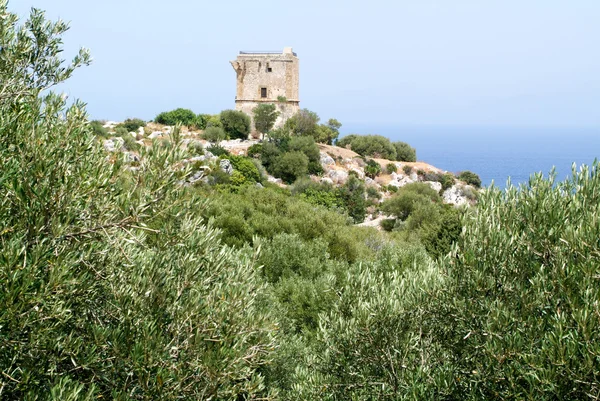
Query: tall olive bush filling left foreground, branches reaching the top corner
(111, 285)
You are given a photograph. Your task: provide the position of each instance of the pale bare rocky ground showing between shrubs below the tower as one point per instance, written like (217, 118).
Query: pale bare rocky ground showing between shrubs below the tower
(337, 163)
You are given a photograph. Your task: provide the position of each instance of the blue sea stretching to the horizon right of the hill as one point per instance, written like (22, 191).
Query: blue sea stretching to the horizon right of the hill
(496, 153)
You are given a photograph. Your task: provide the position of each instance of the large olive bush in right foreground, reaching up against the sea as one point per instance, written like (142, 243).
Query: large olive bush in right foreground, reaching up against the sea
(524, 283)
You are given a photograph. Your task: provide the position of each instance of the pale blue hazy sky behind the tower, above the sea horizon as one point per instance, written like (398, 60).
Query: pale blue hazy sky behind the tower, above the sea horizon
(455, 62)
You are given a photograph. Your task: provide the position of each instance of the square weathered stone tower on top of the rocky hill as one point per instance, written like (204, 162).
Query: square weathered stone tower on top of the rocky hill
(268, 77)
